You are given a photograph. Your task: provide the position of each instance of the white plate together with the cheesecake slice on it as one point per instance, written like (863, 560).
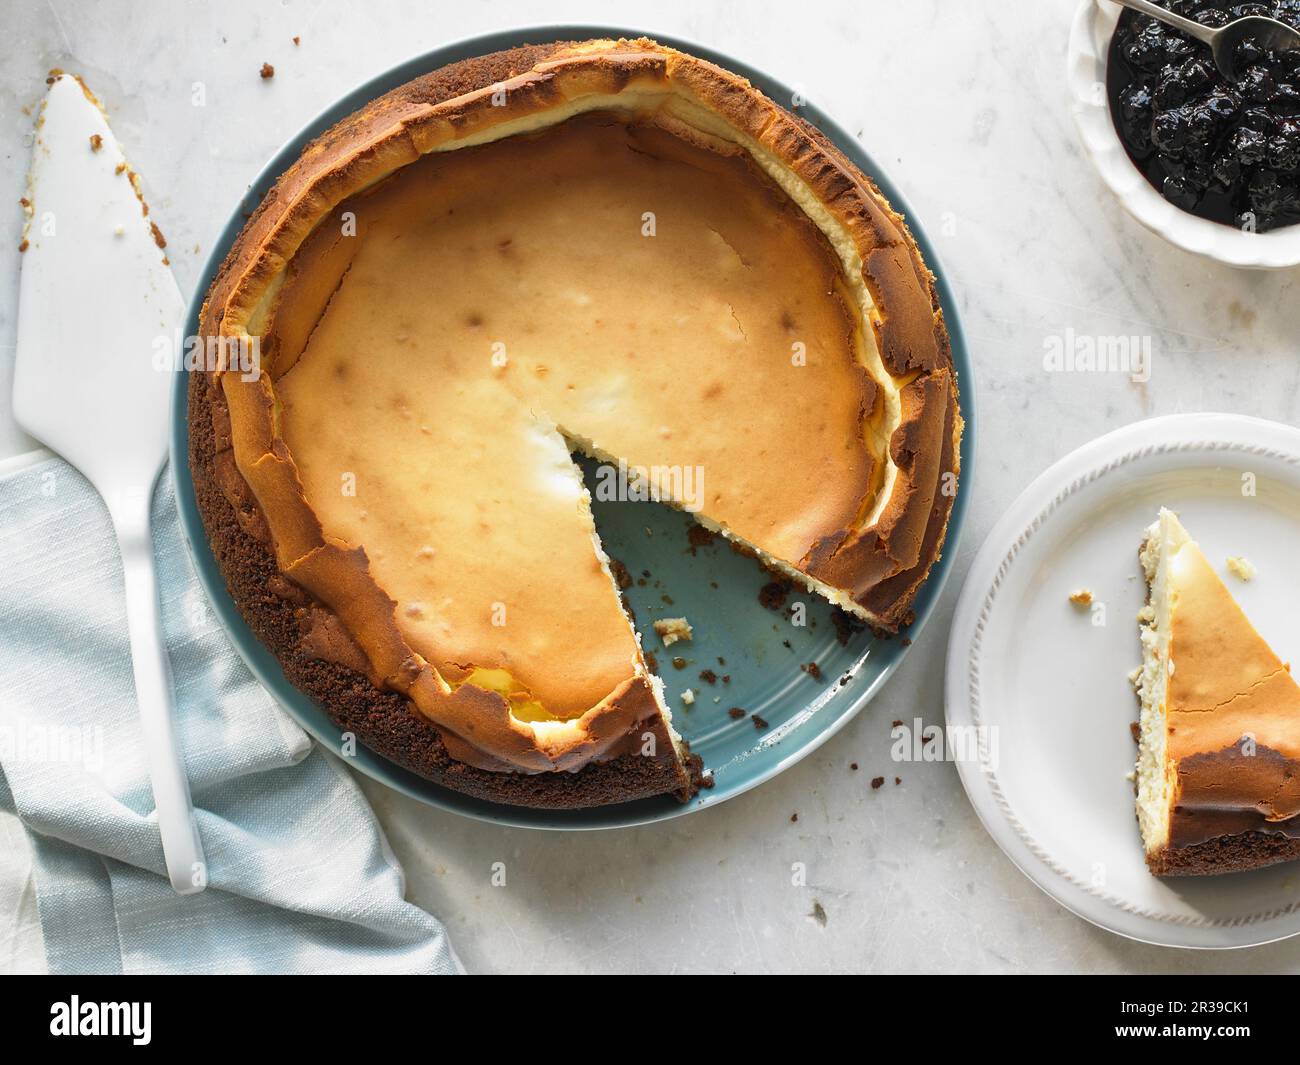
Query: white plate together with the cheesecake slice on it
(1043, 724)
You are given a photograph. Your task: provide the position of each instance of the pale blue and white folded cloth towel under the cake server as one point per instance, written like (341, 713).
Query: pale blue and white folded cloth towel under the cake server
(300, 873)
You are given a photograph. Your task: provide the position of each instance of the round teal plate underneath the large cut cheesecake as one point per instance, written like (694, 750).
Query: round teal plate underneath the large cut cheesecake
(755, 653)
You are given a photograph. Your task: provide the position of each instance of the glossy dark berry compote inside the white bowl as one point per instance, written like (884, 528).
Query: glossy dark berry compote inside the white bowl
(1227, 153)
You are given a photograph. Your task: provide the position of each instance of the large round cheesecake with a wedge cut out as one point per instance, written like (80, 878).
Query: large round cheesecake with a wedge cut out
(608, 249)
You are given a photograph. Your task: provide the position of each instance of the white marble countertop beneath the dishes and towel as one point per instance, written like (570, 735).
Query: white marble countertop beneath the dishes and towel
(965, 103)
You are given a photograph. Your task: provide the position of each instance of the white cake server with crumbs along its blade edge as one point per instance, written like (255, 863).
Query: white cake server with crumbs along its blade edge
(96, 301)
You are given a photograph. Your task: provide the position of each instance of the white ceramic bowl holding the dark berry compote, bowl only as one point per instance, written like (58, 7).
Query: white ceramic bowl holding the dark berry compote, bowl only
(1090, 41)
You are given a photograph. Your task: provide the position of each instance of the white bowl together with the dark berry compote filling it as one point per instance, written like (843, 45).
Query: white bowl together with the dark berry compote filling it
(1211, 164)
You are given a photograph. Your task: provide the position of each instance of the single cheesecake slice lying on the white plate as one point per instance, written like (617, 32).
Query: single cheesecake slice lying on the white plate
(1219, 764)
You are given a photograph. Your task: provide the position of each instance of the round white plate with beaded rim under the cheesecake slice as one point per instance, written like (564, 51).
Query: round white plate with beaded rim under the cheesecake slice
(1047, 689)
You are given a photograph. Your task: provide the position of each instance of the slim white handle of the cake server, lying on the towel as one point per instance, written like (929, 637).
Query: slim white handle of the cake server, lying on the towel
(183, 848)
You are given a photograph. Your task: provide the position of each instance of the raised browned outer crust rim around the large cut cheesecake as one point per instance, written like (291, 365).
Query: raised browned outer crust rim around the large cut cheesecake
(345, 618)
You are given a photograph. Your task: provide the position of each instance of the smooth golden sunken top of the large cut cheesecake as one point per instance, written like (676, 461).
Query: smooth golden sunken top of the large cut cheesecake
(474, 313)
